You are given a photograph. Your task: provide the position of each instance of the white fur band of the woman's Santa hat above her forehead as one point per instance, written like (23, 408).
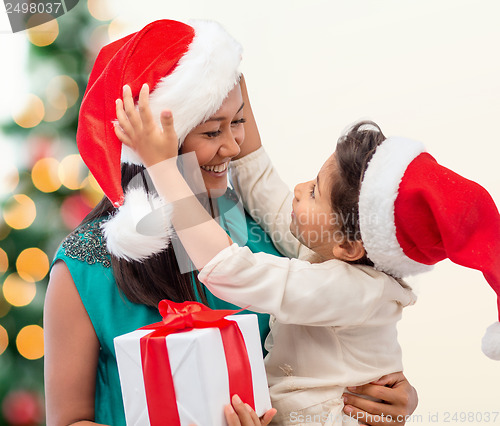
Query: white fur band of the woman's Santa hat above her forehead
(195, 90)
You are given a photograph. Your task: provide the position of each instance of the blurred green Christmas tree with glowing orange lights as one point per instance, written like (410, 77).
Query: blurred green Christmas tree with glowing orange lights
(43, 195)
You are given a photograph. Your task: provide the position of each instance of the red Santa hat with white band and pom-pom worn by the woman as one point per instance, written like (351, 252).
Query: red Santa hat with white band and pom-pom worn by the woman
(190, 70)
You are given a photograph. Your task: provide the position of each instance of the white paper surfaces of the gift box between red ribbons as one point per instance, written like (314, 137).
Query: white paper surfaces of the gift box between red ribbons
(199, 372)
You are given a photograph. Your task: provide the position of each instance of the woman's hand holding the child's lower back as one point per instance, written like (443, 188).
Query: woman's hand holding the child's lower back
(399, 401)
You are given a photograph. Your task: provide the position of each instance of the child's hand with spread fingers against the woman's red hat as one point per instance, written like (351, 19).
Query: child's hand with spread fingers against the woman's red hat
(138, 130)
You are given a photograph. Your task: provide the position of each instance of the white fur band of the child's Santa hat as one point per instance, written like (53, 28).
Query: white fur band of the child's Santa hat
(379, 190)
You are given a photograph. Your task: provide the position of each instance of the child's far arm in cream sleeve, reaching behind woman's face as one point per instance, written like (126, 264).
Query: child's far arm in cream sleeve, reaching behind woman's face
(265, 196)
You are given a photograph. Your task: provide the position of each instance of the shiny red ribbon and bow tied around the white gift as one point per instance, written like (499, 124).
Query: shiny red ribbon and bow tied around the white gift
(158, 381)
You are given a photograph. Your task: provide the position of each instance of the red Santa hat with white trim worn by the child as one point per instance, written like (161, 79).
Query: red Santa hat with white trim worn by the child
(414, 213)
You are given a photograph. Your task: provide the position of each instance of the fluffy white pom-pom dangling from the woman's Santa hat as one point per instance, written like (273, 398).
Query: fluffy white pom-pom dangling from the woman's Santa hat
(124, 240)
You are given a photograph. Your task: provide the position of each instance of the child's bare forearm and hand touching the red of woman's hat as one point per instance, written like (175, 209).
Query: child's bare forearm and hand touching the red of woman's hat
(200, 234)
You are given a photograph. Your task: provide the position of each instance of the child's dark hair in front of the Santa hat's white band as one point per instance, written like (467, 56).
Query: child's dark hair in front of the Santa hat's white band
(353, 153)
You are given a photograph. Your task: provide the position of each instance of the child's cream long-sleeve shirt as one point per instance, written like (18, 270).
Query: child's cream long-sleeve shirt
(335, 323)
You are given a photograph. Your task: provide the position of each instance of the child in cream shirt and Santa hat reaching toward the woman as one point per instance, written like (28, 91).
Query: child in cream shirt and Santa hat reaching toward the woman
(341, 306)
